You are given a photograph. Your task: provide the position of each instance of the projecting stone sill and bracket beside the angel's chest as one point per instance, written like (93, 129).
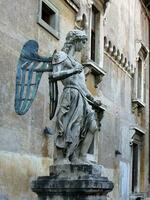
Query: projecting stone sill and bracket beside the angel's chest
(98, 72)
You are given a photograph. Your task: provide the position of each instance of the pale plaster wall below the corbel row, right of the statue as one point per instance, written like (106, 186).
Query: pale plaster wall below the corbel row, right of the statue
(115, 130)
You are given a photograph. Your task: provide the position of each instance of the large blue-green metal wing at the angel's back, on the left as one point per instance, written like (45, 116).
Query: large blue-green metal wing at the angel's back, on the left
(28, 76)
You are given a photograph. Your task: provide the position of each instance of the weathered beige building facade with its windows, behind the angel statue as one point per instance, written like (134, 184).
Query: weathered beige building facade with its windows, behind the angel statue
(118, 75)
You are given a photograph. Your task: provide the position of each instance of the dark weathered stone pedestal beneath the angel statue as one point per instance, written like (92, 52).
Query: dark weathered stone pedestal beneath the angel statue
(73, 182)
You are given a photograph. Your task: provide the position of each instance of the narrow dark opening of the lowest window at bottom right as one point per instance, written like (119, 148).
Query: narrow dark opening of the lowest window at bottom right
(135, 167)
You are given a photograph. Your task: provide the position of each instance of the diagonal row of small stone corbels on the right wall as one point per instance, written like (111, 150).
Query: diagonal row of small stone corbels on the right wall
(117, 56)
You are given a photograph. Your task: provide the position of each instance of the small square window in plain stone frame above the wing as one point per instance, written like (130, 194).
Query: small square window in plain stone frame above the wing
(48, 17)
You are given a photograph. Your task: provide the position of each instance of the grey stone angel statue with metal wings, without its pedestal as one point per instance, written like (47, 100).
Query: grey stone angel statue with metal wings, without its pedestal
(76, 117)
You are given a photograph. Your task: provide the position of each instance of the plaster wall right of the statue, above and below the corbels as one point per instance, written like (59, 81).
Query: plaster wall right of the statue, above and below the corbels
(126, 26)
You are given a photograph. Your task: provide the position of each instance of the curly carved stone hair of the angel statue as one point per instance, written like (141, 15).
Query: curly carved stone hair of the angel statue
(72, 37)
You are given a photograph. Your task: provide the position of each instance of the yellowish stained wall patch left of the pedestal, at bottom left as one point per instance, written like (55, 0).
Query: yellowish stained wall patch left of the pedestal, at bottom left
(16, 173)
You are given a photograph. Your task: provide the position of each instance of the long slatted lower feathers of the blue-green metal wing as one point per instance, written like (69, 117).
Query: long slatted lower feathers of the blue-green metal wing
(27, 82)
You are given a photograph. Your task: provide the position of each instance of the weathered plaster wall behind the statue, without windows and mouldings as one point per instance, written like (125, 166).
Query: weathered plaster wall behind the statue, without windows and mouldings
(25, 152)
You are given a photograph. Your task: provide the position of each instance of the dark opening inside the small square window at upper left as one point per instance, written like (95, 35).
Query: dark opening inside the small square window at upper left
(48, 15)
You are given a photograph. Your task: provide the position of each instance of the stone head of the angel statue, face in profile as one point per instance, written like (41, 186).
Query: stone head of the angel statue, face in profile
(76, 38)
